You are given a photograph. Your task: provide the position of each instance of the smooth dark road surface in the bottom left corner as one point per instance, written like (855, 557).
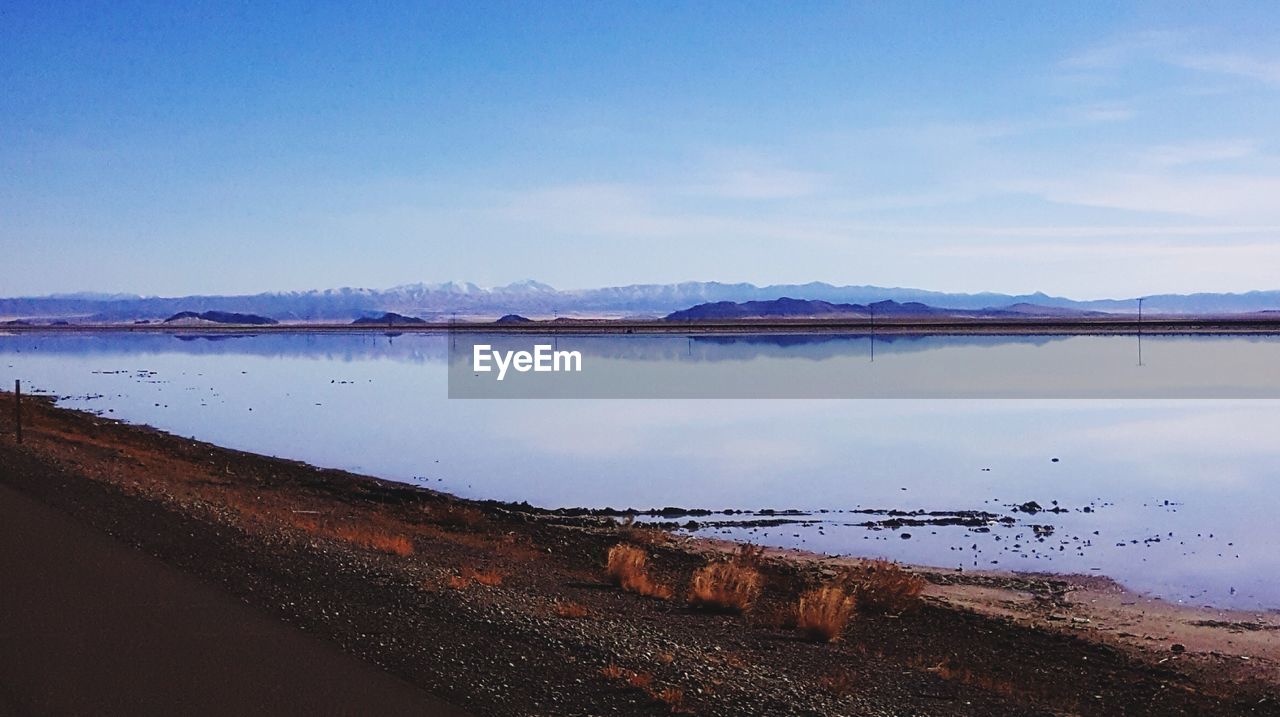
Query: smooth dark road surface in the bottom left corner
(93, 627)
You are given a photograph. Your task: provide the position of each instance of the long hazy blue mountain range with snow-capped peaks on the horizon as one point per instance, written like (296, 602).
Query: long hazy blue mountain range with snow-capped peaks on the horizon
(538, 300)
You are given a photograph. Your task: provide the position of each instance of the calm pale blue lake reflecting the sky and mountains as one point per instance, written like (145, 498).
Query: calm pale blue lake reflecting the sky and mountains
(1177, 497)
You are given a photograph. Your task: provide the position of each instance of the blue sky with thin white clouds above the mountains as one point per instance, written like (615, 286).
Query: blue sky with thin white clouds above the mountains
(1082, 149)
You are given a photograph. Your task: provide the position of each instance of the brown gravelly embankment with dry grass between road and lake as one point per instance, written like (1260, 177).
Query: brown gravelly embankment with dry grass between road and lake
(505, 610)
